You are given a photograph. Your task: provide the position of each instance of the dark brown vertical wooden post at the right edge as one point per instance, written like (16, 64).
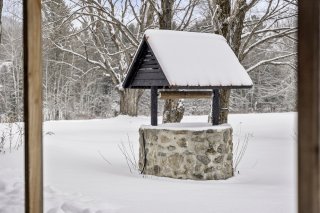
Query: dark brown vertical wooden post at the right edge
(308, 107)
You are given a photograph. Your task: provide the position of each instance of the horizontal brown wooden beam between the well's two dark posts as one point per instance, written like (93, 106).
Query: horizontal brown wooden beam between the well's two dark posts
(185, 94)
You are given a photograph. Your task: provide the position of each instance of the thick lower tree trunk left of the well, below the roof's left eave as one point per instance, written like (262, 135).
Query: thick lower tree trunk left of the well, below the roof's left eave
(129, 99)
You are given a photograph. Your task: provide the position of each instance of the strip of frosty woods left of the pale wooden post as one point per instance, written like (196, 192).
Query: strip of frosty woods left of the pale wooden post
(11, 72)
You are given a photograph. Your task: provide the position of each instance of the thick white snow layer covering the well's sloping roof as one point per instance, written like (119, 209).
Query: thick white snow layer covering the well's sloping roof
(195, 59)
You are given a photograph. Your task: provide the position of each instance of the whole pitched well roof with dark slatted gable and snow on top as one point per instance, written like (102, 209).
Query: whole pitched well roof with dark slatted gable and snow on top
(170, 59)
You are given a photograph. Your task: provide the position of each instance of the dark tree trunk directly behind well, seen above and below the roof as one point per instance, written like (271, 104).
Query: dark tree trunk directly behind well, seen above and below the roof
(173, 109)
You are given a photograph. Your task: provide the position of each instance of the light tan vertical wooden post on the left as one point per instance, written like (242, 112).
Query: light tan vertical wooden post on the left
(33, 106)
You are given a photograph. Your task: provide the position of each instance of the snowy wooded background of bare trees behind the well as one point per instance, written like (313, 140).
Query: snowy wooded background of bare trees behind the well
(89, 44)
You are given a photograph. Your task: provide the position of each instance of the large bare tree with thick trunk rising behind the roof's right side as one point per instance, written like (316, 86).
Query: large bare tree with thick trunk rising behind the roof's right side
(247, 30)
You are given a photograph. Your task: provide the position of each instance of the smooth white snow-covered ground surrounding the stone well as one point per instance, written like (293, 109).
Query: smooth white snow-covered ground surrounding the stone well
(85, 171)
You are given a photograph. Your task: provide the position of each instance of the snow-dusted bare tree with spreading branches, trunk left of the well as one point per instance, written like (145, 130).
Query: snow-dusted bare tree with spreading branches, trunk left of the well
(110, 33)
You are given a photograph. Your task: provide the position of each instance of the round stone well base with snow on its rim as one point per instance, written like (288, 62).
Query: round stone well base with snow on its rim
(186, 151)
